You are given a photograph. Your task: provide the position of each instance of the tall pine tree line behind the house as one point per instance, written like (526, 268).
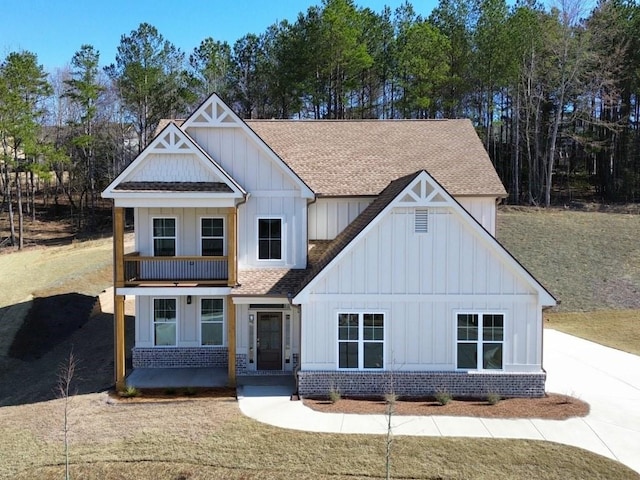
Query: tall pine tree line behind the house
(552, 91)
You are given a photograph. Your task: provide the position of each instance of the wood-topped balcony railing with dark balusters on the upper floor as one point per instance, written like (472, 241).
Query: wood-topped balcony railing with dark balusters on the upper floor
(154, 270)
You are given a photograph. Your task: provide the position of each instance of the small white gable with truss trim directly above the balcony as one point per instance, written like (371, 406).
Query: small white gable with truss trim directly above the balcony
(173, 165)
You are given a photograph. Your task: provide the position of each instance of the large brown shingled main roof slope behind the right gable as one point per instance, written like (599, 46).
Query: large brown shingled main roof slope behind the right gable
(361, 157)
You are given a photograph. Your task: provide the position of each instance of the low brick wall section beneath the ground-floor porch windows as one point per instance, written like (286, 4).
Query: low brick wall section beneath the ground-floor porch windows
(180, 357)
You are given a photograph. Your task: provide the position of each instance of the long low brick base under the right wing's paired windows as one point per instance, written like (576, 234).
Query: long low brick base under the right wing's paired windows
(458, 384)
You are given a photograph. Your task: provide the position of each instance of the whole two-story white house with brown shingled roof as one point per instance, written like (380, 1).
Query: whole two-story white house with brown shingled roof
(358, 255)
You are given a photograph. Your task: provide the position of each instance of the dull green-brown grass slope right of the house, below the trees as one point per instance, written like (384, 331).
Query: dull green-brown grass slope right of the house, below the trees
(588, 260)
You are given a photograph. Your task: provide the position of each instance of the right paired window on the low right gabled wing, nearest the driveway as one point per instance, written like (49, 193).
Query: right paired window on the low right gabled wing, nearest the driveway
(480, 341)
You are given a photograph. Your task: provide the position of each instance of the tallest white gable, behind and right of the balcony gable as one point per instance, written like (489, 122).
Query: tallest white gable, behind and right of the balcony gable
(228, 139)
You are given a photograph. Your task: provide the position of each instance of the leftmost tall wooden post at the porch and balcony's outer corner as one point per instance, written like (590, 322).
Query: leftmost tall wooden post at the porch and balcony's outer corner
(118, 300)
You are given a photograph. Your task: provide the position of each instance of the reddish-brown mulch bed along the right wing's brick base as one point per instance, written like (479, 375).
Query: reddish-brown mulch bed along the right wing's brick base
(551, 407)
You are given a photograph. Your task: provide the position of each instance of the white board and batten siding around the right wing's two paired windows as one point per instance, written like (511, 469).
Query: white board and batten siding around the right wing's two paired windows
(420, 281)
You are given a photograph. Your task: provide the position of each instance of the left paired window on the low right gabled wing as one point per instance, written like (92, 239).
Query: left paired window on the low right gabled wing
(361, 340)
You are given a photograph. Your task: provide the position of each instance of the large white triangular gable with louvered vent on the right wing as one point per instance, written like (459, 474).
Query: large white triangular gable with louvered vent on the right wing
(422, 242)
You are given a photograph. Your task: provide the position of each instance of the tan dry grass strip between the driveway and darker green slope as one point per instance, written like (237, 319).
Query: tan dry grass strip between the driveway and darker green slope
(614, 328)
